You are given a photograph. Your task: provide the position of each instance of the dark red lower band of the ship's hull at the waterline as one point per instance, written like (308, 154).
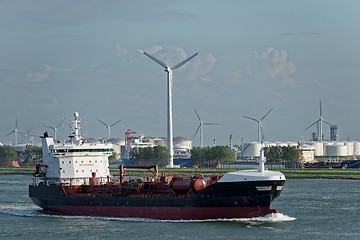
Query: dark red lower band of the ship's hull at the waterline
(162, 213)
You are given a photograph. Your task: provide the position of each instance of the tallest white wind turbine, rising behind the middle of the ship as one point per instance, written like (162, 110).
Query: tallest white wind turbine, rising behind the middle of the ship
(169, 99)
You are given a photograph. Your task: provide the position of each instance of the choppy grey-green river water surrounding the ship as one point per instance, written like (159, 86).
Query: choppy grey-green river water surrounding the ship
(309, 209)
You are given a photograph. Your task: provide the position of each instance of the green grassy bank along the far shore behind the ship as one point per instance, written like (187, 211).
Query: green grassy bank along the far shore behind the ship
(335, 173)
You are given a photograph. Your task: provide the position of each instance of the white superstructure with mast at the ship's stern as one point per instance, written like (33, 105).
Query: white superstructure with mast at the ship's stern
(74, 162)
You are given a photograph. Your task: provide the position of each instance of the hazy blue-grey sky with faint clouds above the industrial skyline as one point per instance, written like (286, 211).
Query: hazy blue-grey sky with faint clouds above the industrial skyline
(61, 57)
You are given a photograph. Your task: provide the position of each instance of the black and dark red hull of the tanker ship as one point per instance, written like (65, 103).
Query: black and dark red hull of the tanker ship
(219, 201)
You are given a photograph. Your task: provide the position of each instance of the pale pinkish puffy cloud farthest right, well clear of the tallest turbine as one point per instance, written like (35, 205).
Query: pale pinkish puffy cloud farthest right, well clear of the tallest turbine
(274, 64)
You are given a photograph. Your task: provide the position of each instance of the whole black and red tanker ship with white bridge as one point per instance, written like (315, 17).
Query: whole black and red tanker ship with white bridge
(74, 179)
